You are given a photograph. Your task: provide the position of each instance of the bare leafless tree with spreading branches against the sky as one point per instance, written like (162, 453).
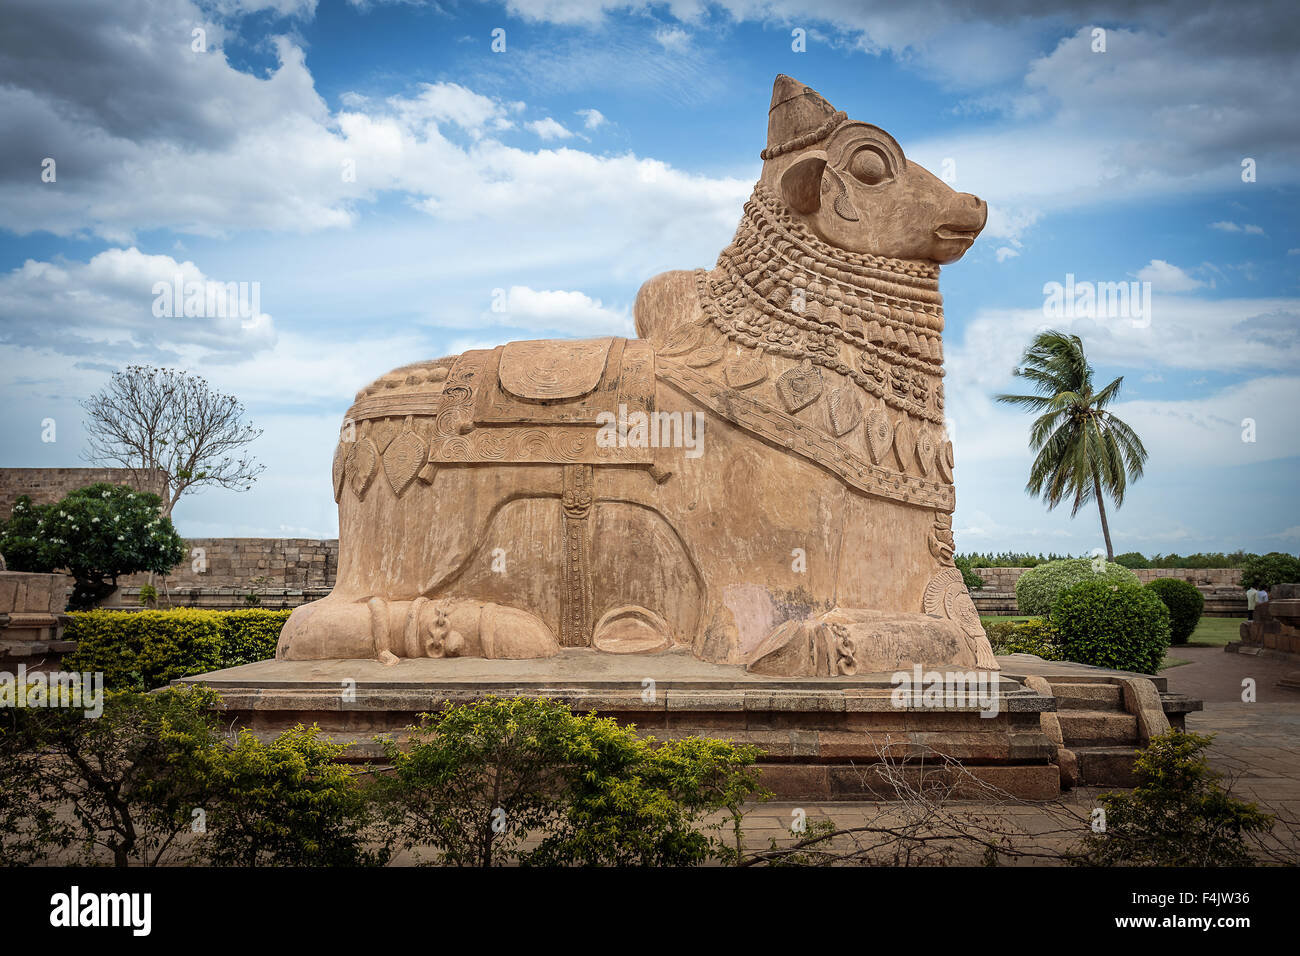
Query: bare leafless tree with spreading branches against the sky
(170, 425)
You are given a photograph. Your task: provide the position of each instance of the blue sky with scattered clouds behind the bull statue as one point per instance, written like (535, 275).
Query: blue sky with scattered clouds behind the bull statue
(613, 141)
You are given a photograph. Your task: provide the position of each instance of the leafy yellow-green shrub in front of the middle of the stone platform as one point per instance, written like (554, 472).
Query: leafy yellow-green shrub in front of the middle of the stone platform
(476, 780)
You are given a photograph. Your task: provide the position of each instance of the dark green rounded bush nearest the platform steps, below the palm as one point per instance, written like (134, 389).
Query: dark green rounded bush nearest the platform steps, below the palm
(1123, 626)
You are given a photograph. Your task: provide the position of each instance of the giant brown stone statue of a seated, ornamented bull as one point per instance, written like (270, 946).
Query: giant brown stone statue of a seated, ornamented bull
(510, 503)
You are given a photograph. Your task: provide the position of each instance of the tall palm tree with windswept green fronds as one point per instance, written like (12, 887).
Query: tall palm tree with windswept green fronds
(1084, 449)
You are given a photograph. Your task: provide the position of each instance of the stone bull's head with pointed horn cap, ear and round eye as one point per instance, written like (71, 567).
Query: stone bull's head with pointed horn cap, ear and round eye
(851, 184)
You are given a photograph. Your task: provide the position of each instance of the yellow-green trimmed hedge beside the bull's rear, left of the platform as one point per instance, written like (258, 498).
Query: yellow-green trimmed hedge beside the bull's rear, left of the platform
(149, 650)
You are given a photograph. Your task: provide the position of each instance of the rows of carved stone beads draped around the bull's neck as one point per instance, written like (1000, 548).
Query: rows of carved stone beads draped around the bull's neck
(781, 289)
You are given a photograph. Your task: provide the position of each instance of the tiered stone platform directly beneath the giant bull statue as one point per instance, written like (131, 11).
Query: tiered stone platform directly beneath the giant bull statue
(824, 739)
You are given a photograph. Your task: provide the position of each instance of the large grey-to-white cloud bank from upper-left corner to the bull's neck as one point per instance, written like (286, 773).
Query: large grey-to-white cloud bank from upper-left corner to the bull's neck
(272, 157)
